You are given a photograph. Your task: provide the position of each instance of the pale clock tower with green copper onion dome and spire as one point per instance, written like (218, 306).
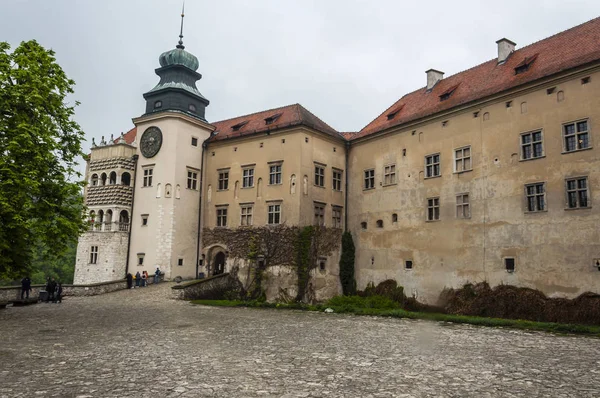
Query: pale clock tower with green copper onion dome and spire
(170, 133)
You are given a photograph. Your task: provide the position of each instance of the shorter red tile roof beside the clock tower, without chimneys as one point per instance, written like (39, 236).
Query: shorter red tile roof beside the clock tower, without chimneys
(287, 116)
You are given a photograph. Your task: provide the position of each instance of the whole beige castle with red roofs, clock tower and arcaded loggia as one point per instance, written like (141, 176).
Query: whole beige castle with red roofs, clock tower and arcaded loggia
(486, 175)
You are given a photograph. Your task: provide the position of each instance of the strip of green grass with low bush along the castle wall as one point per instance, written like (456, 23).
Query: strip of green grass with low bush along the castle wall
(382, 306)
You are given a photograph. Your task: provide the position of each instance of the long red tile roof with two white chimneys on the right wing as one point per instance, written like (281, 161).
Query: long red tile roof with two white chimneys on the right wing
(572, 48)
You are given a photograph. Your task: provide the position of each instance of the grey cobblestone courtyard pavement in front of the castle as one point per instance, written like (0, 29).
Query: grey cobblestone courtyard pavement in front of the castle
(141, 343)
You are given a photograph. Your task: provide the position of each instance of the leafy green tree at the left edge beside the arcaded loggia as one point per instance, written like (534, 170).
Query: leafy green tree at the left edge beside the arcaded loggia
(39, 146)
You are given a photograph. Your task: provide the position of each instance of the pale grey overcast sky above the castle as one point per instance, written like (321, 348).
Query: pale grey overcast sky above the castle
(345, 60)
